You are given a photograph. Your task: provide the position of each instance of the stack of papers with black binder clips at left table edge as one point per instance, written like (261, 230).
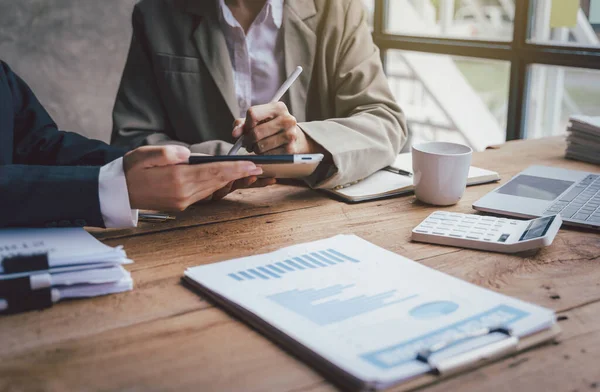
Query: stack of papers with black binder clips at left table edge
(39, 267)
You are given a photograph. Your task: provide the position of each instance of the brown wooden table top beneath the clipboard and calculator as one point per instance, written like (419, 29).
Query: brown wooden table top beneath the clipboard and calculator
(164, 336)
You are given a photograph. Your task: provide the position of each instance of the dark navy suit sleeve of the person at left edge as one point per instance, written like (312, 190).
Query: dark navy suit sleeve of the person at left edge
(53, 177)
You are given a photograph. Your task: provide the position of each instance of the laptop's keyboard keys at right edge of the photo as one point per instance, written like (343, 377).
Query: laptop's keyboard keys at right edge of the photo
(581, 203)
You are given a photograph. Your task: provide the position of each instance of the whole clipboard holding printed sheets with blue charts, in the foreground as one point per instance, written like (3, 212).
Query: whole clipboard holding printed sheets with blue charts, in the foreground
(368, 318)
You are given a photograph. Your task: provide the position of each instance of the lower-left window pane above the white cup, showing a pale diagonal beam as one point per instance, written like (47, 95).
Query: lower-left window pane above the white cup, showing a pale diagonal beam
(451, 98)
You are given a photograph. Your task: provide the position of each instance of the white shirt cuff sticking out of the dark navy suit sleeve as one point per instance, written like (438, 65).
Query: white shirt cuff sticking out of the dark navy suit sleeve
(114, 196)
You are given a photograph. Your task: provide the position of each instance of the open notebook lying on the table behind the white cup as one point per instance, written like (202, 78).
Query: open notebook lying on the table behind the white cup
(387, 182)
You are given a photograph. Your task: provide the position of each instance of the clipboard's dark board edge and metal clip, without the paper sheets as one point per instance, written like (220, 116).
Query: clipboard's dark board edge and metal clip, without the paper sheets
(447, 369)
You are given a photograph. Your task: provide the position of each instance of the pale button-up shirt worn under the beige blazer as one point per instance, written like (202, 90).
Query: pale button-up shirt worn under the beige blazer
(257, 58)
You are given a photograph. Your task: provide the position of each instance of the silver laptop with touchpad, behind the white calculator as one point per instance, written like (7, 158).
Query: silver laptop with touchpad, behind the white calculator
(542, 190)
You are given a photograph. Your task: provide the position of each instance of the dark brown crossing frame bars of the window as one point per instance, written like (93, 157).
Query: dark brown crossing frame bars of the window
(519, 53)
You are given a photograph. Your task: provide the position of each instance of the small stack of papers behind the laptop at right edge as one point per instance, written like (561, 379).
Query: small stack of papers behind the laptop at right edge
(583, 142)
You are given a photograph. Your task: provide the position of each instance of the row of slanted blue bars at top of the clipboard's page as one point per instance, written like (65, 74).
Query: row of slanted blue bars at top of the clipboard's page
(320, 259)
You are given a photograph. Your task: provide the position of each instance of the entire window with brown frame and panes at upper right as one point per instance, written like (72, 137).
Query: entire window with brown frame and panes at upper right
(484, 71)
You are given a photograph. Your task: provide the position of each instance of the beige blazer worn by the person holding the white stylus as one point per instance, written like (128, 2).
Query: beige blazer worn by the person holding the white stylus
(178, 83)
